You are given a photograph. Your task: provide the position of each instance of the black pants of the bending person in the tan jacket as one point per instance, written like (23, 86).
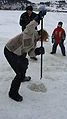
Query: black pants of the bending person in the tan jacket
(19, 64)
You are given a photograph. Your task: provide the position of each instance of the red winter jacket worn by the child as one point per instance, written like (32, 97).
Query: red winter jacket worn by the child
(58, 34)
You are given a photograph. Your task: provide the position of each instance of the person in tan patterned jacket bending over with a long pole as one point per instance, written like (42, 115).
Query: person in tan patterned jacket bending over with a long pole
(15, 52)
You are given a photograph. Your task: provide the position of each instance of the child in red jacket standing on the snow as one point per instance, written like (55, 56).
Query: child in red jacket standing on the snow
(58, 37)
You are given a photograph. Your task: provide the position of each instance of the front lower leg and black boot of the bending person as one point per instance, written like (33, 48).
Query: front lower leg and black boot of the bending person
(13, 93)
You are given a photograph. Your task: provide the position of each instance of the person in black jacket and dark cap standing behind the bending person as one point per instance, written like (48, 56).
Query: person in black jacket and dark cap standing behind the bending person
(25, 19)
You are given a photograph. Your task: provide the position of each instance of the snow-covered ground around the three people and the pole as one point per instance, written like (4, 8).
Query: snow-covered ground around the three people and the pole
(51, 104)
